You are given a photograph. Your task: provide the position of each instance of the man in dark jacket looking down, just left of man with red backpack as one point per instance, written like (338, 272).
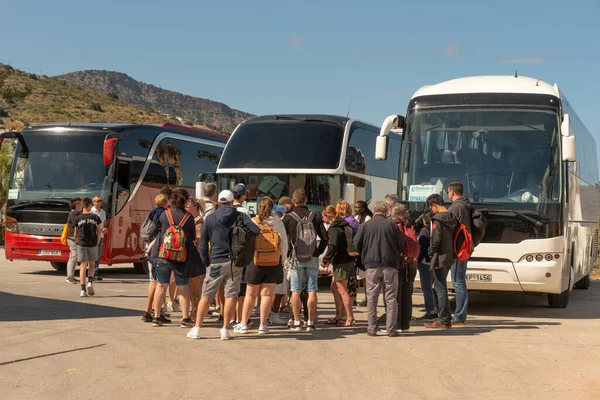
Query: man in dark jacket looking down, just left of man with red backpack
(441, 251)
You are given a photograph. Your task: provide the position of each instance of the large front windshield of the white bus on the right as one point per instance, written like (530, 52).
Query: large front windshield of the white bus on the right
(505, 156)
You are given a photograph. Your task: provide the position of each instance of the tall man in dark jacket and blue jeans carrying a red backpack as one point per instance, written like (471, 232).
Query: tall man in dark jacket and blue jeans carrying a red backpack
(461, 208)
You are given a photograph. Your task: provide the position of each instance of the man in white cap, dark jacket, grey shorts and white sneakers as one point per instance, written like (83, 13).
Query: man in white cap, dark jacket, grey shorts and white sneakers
(215, 231)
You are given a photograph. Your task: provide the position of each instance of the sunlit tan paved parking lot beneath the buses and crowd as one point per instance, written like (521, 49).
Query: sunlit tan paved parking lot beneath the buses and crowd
(55, 345)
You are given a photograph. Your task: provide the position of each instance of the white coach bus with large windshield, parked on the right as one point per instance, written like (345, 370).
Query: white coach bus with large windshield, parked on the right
(526, 161)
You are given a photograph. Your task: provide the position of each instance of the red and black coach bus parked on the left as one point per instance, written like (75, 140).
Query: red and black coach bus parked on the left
(126, 165)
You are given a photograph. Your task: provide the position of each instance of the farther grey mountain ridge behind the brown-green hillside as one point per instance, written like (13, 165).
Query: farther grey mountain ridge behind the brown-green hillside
(200, 111)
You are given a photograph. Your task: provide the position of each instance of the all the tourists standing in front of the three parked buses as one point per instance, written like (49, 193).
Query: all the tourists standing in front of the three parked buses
(215, 259)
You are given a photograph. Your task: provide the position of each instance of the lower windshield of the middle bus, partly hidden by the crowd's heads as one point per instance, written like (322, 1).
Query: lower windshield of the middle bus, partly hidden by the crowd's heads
(321, 190)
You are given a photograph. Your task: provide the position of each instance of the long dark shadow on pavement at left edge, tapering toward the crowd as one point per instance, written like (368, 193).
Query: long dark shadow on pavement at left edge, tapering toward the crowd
(27, 308)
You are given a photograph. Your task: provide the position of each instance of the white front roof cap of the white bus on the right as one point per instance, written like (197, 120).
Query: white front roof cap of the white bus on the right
(489, 84)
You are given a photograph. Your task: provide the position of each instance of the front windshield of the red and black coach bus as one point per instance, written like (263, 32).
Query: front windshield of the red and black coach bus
(57, 165)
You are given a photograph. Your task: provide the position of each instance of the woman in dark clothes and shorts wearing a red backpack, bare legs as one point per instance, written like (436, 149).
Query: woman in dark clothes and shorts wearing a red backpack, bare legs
(175, 251)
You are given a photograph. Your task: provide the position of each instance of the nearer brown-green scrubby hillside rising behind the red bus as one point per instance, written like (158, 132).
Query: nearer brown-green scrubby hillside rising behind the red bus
(55, 100)
